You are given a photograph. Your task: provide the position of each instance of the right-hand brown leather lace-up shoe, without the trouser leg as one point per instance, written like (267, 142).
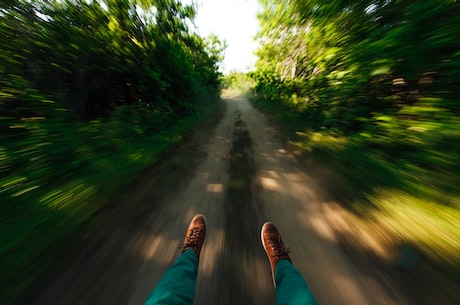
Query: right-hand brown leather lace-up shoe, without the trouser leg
(274, 246)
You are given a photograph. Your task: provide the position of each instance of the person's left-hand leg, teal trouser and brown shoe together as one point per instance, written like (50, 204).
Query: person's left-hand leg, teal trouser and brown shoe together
(177, 286)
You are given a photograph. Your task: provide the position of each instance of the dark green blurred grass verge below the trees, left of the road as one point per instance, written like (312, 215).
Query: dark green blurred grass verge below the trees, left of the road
(58, 173)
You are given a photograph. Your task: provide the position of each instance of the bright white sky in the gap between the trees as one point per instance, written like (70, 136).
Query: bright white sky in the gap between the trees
(235, 22)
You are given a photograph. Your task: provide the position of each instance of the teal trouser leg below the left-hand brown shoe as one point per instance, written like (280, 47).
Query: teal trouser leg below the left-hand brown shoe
(177, 286)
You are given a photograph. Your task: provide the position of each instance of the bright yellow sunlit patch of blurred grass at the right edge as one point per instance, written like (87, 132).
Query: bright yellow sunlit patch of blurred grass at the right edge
(432, 227)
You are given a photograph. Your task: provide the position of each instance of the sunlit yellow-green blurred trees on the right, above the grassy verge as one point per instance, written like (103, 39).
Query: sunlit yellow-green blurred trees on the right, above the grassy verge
(346, 59)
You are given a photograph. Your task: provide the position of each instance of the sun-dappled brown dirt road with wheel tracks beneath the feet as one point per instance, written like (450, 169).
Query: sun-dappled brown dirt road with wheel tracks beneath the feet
(241, 177)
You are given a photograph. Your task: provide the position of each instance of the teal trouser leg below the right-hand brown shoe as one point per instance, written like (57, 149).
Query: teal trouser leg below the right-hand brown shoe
(291, 288)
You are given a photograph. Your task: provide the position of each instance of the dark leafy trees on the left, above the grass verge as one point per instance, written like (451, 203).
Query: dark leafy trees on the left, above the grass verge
(92, 59)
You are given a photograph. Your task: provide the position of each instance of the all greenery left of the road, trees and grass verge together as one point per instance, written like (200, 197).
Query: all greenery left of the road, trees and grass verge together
(91, 92)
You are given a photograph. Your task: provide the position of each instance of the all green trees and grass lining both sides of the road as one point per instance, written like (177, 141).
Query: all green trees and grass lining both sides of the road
(92, 91)
